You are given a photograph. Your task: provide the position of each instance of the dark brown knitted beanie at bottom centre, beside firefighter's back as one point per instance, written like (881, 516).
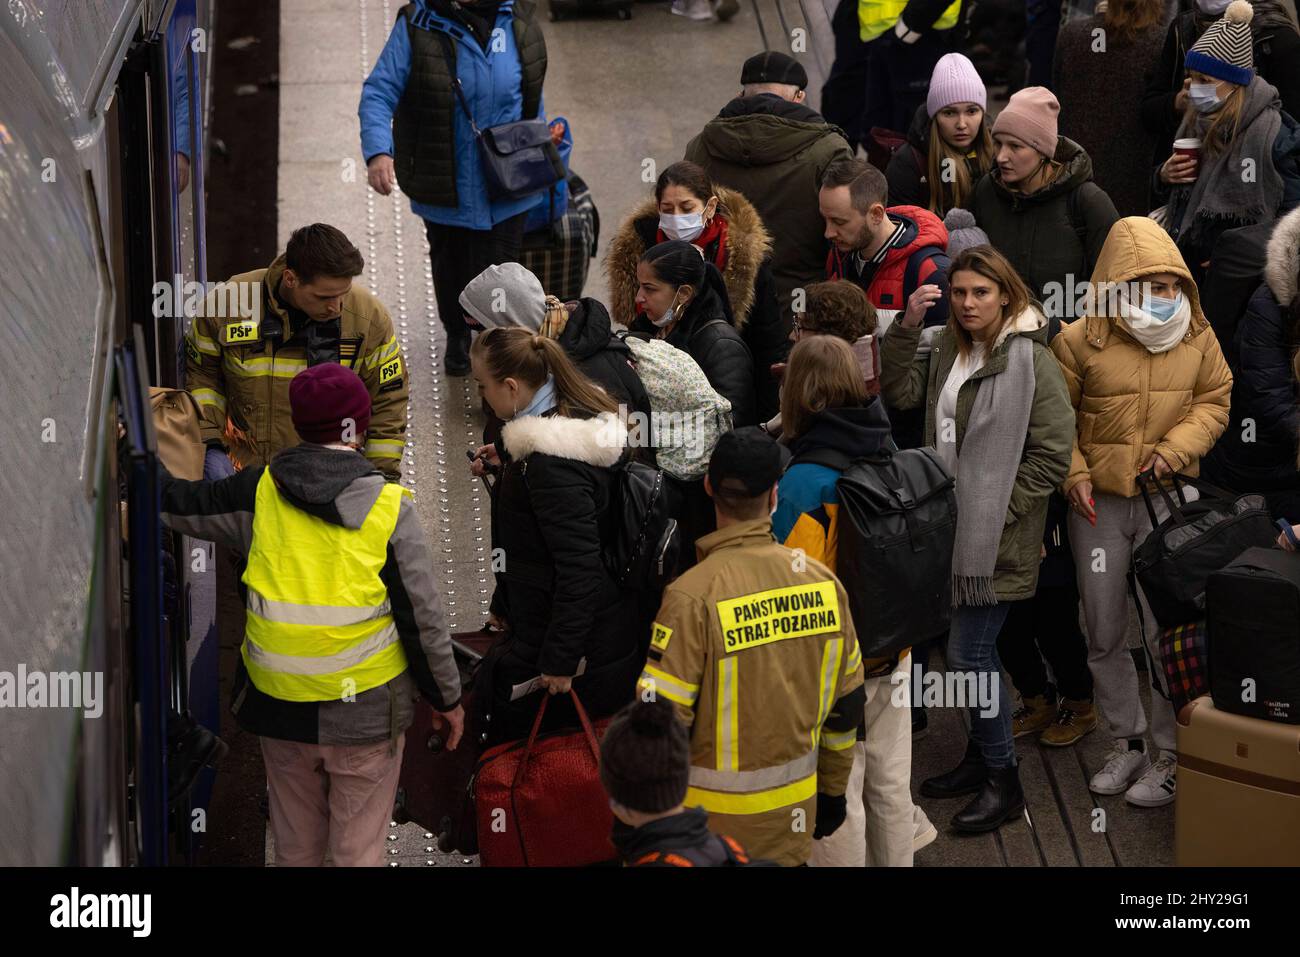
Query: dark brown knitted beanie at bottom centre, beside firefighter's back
(645, 757)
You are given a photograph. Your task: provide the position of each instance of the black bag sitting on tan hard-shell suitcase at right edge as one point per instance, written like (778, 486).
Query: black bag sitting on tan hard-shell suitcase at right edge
(1254, 639)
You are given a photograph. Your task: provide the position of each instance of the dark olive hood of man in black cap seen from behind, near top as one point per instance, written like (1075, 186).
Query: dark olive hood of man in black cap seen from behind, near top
(761, 131)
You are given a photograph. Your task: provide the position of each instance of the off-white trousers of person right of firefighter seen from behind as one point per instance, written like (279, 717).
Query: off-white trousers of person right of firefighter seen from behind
(879, 828)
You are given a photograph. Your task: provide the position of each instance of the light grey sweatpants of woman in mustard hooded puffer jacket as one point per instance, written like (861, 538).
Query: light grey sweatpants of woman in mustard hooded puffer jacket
(1103, 556)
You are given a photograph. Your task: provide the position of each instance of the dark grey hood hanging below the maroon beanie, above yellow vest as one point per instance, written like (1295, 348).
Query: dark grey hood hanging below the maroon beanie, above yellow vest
(335, 486)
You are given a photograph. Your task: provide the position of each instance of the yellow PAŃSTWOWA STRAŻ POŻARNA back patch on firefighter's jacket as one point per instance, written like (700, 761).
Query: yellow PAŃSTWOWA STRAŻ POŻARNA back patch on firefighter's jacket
(778, 614)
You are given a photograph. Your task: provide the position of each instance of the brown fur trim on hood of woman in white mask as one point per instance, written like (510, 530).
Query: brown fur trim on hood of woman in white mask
(748, 246)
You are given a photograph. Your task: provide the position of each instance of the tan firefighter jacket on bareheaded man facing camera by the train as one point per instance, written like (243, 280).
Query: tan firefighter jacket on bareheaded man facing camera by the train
(236, 371)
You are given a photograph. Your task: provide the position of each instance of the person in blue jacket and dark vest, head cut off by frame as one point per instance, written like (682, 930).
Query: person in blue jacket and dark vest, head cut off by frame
(417, 133)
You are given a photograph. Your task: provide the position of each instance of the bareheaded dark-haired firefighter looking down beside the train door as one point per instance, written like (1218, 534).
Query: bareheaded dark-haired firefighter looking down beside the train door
(265, 327)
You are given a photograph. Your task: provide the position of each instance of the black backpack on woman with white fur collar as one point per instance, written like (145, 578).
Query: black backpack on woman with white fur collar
(644, 542)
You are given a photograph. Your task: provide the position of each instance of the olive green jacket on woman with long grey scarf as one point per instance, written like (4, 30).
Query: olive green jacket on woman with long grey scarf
(909, 379)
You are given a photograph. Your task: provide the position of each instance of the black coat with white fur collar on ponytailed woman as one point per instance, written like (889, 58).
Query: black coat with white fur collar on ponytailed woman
(551, 517)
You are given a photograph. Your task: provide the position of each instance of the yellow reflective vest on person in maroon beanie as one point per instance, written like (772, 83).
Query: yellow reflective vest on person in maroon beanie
(320, 627)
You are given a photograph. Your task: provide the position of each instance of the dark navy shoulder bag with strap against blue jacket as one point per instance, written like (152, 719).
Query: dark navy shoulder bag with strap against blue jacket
(519, 159)
